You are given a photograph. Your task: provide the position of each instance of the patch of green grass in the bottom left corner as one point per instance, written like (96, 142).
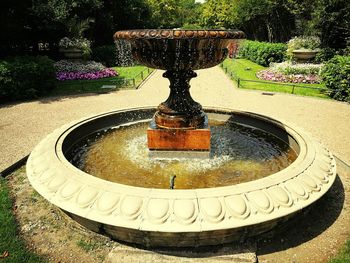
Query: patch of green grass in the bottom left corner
(9, 238)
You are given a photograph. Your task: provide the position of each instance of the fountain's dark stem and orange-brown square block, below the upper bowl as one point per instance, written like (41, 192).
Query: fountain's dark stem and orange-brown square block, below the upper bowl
(180, 123)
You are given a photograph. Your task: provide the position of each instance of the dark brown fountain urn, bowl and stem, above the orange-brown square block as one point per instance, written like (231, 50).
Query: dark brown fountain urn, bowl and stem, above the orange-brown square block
(179, 52)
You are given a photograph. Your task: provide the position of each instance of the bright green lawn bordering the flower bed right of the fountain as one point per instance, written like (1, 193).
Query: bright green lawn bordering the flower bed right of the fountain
(244, 70)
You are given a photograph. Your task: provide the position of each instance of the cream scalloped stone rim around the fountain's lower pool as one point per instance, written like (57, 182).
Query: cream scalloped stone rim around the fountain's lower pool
(172, 211)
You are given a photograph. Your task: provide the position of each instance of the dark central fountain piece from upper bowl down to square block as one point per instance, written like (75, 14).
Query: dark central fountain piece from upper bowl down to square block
(179, 125)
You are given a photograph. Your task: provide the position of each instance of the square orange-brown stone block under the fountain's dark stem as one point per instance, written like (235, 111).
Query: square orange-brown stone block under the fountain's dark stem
(178, 139)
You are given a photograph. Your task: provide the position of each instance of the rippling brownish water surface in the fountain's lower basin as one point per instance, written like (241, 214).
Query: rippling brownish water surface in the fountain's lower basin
(238, 154)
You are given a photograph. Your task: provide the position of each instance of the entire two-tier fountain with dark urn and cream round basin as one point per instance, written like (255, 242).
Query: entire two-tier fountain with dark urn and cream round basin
(250, 174)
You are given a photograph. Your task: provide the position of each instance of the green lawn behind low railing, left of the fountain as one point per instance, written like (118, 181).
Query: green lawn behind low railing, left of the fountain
(125, 80)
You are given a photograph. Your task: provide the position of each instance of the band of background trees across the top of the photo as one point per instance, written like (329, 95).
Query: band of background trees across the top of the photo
(26, 24)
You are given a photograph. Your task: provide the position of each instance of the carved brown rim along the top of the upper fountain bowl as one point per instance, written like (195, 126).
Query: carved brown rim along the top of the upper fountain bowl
(178, 34)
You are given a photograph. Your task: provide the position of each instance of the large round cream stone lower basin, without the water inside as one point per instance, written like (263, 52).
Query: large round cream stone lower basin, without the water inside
(180, 218)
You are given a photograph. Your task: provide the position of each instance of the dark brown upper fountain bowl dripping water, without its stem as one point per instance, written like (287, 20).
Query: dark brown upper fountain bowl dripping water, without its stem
(179, 49)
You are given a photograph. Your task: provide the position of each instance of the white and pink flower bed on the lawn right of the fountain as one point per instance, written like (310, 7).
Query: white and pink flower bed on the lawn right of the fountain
(294, 73)
